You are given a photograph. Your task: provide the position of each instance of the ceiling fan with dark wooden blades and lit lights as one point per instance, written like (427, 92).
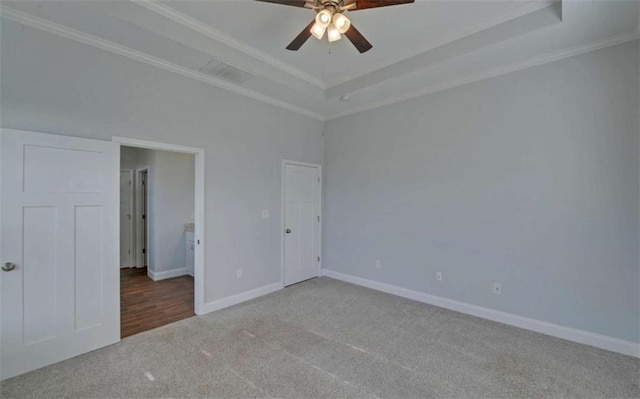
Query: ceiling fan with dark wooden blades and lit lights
(330, 18)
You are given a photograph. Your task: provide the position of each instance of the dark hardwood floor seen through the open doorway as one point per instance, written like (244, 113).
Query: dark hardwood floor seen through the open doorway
(146, 304)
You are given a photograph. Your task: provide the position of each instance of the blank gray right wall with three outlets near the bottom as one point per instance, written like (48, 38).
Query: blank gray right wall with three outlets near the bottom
(529, 179)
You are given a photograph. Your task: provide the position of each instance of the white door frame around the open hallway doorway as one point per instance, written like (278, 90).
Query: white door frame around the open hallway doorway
(199, 233)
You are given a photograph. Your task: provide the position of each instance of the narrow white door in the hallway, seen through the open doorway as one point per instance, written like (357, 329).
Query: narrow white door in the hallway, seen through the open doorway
(127, 258)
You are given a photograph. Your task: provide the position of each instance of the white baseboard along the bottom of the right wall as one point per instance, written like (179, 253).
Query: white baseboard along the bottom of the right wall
(555, 330)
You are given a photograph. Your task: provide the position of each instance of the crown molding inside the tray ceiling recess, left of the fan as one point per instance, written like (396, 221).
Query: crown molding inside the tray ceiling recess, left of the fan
(207, 30)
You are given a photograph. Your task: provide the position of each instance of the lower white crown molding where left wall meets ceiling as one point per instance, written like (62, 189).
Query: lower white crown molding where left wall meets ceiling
(85, 38)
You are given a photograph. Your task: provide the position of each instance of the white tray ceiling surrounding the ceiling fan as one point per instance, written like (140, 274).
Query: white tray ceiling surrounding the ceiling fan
(418, 48)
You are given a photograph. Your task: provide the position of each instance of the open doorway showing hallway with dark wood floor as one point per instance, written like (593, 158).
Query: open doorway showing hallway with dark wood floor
(160, 246)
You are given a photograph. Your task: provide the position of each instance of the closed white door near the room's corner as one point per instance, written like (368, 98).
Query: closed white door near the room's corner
(301, 222)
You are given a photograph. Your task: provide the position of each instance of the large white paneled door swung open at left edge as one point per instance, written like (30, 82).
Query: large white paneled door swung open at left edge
(59, 230)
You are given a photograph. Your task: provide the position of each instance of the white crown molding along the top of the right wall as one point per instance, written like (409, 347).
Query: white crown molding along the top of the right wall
(494, 72)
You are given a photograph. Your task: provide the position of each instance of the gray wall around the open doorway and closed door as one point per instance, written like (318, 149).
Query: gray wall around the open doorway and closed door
(51, 84)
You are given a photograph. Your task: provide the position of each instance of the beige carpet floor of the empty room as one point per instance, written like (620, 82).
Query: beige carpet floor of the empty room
(328, 339)
